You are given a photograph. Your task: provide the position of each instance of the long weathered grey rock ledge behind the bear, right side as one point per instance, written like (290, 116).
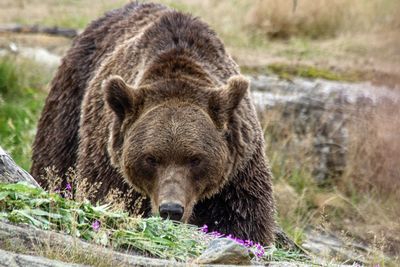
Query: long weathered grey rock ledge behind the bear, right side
(318, 109)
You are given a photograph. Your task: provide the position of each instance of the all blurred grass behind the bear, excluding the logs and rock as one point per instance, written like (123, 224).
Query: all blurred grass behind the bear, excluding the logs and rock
(343, 40)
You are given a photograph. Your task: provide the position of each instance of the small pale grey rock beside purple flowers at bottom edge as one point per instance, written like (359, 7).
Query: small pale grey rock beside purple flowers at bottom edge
(224, 251)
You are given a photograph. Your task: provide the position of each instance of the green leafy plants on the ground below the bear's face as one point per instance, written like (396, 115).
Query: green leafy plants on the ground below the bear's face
(23, 203)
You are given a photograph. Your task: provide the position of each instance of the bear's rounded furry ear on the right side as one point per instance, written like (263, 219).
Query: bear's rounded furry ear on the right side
(223, 102)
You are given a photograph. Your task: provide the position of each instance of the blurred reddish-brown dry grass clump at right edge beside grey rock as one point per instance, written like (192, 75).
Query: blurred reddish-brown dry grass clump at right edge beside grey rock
(374, 158)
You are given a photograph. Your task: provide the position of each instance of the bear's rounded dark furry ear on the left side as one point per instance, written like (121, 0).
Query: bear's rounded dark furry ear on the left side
(120, 97)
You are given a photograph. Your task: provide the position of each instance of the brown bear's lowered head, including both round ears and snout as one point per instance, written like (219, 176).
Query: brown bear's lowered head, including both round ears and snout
(170, 139)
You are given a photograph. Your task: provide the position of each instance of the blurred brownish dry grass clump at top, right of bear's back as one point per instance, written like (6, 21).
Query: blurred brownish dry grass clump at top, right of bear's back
(309, 18)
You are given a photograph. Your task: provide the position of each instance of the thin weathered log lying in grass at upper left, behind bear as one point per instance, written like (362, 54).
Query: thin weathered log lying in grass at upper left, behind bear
(36, 29)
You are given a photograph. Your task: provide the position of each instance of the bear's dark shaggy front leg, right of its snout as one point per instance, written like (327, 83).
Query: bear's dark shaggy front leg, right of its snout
(244, 208)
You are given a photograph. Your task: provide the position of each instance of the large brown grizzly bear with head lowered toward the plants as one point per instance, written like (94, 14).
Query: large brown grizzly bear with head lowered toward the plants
(148, 99)
